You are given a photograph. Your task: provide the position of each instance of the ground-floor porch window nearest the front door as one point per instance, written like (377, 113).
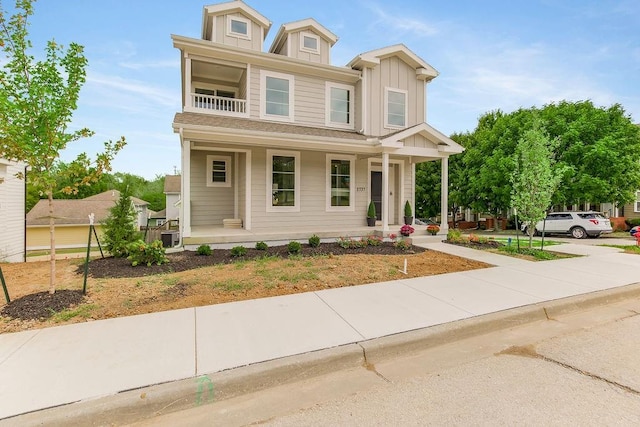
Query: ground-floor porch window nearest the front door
(340, 182)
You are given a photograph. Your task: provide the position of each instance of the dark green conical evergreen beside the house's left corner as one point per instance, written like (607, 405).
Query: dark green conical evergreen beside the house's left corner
(119, 228)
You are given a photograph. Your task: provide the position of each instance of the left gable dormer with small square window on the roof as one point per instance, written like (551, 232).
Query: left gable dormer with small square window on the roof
(236, 24)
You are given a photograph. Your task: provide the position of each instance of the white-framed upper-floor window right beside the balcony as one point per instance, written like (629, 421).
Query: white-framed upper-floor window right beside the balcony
(277, 96)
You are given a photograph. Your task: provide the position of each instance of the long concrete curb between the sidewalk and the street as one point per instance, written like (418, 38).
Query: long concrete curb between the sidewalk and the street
(147, 402)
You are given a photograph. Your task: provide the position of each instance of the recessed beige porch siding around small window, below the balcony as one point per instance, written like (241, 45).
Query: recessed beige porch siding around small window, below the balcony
(209, 205)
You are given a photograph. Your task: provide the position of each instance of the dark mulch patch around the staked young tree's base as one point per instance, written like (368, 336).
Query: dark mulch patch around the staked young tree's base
(42, 305)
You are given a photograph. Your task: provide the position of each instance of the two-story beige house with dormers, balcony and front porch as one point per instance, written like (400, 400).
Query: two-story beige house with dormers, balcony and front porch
(280, 145)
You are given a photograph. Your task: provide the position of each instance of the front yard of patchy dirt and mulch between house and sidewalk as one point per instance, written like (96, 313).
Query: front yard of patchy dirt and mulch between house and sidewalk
(116, 289)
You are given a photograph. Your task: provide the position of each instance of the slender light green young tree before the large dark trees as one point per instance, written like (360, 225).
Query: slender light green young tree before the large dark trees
(533, 179)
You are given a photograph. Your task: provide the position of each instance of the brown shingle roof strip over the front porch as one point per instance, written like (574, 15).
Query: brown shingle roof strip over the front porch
(261, 126)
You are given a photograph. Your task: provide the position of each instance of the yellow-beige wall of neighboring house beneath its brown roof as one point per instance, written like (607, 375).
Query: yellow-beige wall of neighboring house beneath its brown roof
(74, 236)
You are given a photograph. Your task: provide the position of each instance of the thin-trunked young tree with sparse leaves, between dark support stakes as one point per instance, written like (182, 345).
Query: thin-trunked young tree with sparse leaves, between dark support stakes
(37, 100)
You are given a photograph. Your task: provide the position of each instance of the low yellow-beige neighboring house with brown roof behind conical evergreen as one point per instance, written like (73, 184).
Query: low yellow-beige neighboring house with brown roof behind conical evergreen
(72, 220)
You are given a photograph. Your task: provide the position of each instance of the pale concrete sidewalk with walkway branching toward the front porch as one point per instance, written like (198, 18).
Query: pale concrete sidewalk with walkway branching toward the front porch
(56, 366)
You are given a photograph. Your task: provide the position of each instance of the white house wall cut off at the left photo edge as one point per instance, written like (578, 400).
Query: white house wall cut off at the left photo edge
(12, 212)
